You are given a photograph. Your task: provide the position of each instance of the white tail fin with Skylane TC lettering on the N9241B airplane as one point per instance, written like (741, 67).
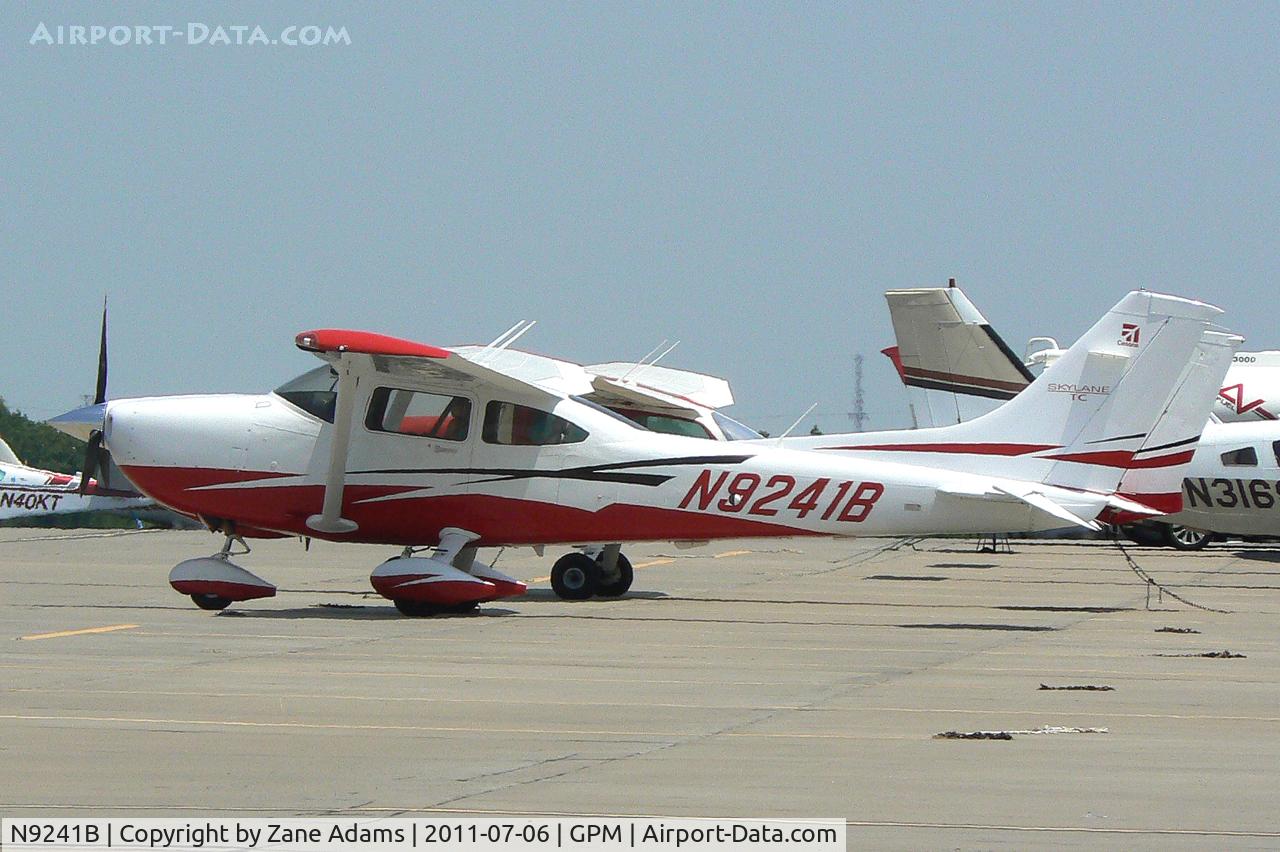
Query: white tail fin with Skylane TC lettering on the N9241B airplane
(1080, 424)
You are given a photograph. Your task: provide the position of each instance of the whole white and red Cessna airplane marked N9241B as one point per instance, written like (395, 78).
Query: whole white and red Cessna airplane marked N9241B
(408, 445)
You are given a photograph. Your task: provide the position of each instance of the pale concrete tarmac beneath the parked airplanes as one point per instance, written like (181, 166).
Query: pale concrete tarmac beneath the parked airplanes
(747, 679)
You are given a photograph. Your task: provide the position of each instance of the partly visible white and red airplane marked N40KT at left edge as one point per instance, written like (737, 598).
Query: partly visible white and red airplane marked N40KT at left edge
(29, 492)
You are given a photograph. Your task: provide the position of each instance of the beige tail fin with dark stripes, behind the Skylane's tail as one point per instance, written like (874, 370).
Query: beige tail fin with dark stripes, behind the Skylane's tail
(954, 364)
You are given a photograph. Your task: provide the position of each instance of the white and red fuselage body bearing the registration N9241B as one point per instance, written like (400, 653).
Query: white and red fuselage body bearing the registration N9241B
(260, 462)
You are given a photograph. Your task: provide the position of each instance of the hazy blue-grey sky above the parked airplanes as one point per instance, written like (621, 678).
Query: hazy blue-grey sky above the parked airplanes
(747, 178)
